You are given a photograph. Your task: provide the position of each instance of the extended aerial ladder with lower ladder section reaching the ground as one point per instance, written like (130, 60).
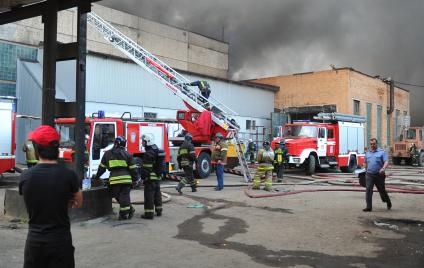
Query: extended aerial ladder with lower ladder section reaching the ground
(178, 84)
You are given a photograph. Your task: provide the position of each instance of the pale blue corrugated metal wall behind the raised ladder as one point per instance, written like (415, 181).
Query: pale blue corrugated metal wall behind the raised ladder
(116, 82)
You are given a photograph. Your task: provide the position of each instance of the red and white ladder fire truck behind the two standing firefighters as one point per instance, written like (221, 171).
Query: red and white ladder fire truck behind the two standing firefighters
(101, 133)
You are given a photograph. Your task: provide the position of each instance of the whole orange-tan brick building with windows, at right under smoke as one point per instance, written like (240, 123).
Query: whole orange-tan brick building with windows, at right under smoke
(342, 90)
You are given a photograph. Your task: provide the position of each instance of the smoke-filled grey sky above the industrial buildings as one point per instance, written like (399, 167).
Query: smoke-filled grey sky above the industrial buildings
(280, 37)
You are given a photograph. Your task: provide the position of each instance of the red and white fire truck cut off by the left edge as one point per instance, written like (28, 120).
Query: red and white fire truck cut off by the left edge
(7, 134)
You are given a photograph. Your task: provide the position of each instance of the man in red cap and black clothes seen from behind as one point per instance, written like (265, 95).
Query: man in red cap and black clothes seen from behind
(49, 188)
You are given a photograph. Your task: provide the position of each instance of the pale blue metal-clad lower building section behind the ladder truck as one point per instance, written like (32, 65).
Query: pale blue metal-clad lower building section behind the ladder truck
(116, 86)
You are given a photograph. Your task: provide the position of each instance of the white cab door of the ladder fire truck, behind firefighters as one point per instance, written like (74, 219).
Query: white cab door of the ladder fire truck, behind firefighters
(103, 137)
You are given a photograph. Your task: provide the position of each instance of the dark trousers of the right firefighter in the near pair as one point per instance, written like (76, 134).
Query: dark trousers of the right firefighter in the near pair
(152, 197)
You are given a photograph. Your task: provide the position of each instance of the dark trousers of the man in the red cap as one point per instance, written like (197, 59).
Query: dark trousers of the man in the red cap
(49, 254)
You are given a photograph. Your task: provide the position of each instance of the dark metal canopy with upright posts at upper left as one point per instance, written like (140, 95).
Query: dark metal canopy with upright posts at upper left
(16, 10)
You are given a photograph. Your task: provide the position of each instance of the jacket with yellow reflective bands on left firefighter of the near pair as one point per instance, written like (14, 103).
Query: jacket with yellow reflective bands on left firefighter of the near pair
(121, 166)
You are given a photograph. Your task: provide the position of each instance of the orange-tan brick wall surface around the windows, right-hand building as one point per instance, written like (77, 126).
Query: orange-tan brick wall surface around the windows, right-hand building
(340, 87)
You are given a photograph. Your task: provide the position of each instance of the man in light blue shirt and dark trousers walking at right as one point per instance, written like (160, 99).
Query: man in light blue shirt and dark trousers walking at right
(376, 162)
